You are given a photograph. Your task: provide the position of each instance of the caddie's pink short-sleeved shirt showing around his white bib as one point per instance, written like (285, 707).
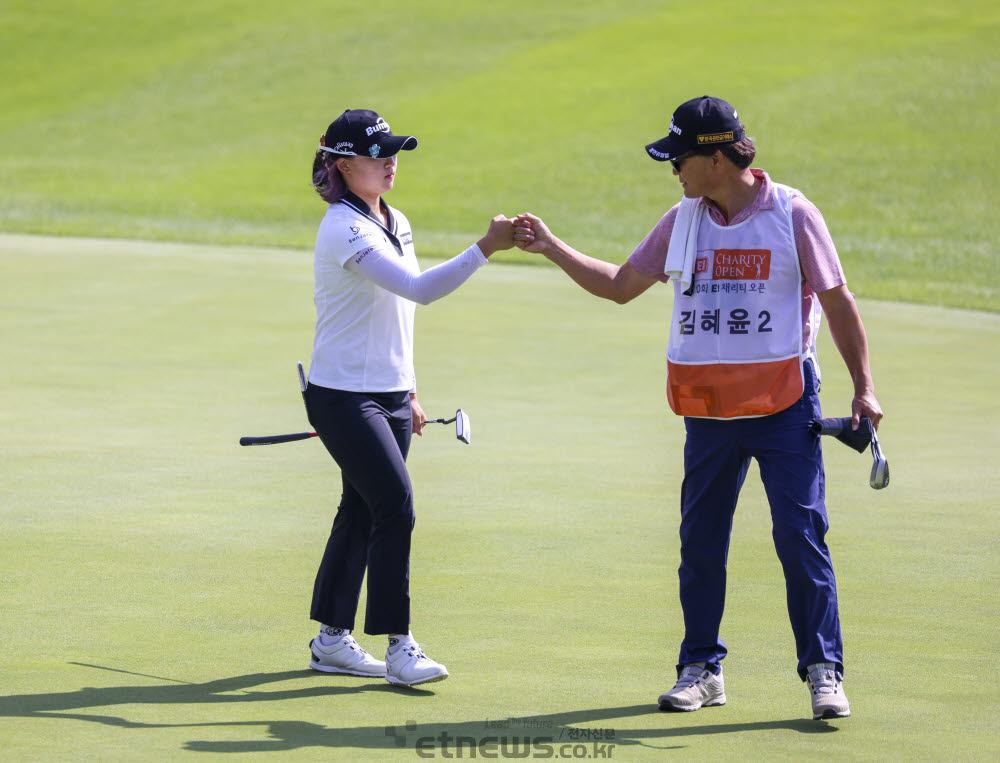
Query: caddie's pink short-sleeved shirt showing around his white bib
(821, 268)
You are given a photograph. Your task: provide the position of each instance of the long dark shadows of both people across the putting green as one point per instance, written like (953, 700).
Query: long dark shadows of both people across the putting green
(512, 737)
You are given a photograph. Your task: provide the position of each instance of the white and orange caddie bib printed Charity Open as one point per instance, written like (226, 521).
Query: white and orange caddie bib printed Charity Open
(735, 348)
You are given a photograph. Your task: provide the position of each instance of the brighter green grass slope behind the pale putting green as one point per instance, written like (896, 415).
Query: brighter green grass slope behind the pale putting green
(197, 121)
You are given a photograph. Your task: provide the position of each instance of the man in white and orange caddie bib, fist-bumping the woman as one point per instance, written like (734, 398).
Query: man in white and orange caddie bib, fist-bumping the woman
(752, 263)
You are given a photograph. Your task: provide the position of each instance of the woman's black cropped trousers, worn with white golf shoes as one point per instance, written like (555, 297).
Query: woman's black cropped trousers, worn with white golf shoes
(368, 435)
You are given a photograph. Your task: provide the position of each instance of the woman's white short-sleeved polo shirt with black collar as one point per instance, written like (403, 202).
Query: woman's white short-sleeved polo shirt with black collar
(364, 333)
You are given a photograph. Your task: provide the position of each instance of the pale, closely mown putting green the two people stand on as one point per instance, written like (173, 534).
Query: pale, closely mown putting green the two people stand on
(156, 576)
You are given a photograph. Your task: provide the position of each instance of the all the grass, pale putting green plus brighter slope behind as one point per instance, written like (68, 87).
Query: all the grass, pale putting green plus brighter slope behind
(156, 577)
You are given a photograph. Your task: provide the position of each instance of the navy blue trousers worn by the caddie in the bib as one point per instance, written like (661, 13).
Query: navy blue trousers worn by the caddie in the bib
(717, 455)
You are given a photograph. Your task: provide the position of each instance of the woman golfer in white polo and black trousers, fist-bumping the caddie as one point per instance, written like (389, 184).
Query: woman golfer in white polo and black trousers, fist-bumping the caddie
(362, 396)
